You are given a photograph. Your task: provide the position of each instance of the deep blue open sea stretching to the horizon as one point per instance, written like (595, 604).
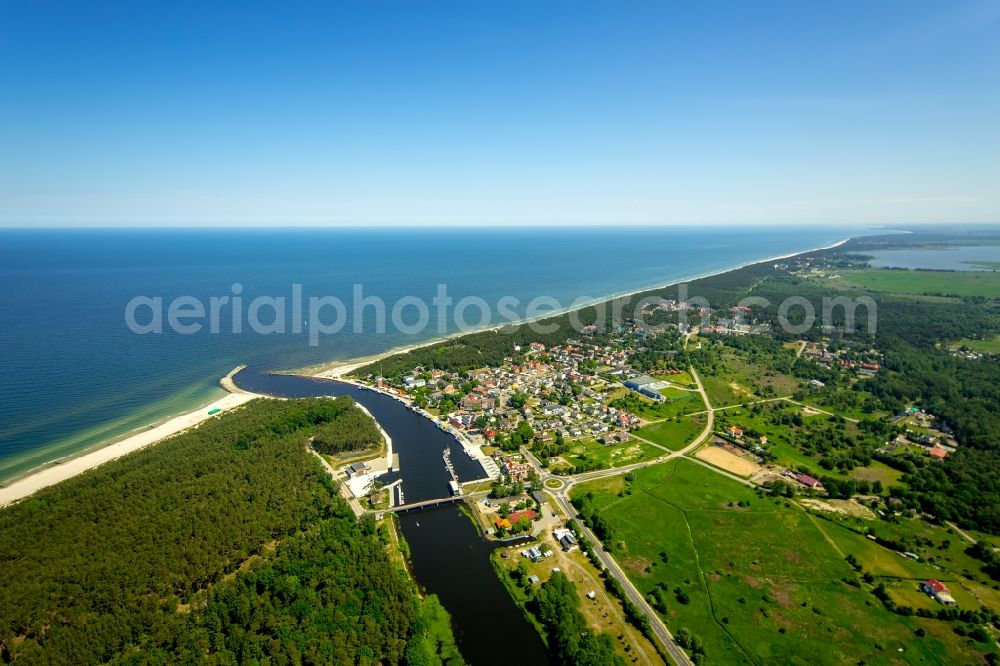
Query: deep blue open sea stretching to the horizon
(74, 375)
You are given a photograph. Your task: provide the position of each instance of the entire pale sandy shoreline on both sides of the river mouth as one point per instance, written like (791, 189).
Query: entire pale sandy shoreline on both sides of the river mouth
(61, 469)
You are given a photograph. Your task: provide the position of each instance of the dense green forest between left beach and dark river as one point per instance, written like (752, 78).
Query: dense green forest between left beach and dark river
(224, 544)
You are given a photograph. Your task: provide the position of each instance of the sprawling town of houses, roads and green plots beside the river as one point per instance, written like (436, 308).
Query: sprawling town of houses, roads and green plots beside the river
(594, 407)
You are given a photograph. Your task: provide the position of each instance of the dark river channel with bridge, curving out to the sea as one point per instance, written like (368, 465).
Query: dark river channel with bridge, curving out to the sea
(449, 558)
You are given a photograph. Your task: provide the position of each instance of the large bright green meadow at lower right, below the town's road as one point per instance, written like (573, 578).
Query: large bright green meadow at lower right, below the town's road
(763, 582)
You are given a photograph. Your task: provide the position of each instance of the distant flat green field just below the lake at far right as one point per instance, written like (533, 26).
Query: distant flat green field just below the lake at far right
(948, 283)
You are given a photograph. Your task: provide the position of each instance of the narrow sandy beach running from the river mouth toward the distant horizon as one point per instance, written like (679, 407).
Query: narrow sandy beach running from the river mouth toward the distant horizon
(337, 369)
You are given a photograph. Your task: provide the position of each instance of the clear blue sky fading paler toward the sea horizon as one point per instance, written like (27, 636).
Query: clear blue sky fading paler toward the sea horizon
(499, 112)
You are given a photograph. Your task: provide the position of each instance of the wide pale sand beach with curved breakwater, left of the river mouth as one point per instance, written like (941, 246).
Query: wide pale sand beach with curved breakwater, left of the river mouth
(55, 472)
